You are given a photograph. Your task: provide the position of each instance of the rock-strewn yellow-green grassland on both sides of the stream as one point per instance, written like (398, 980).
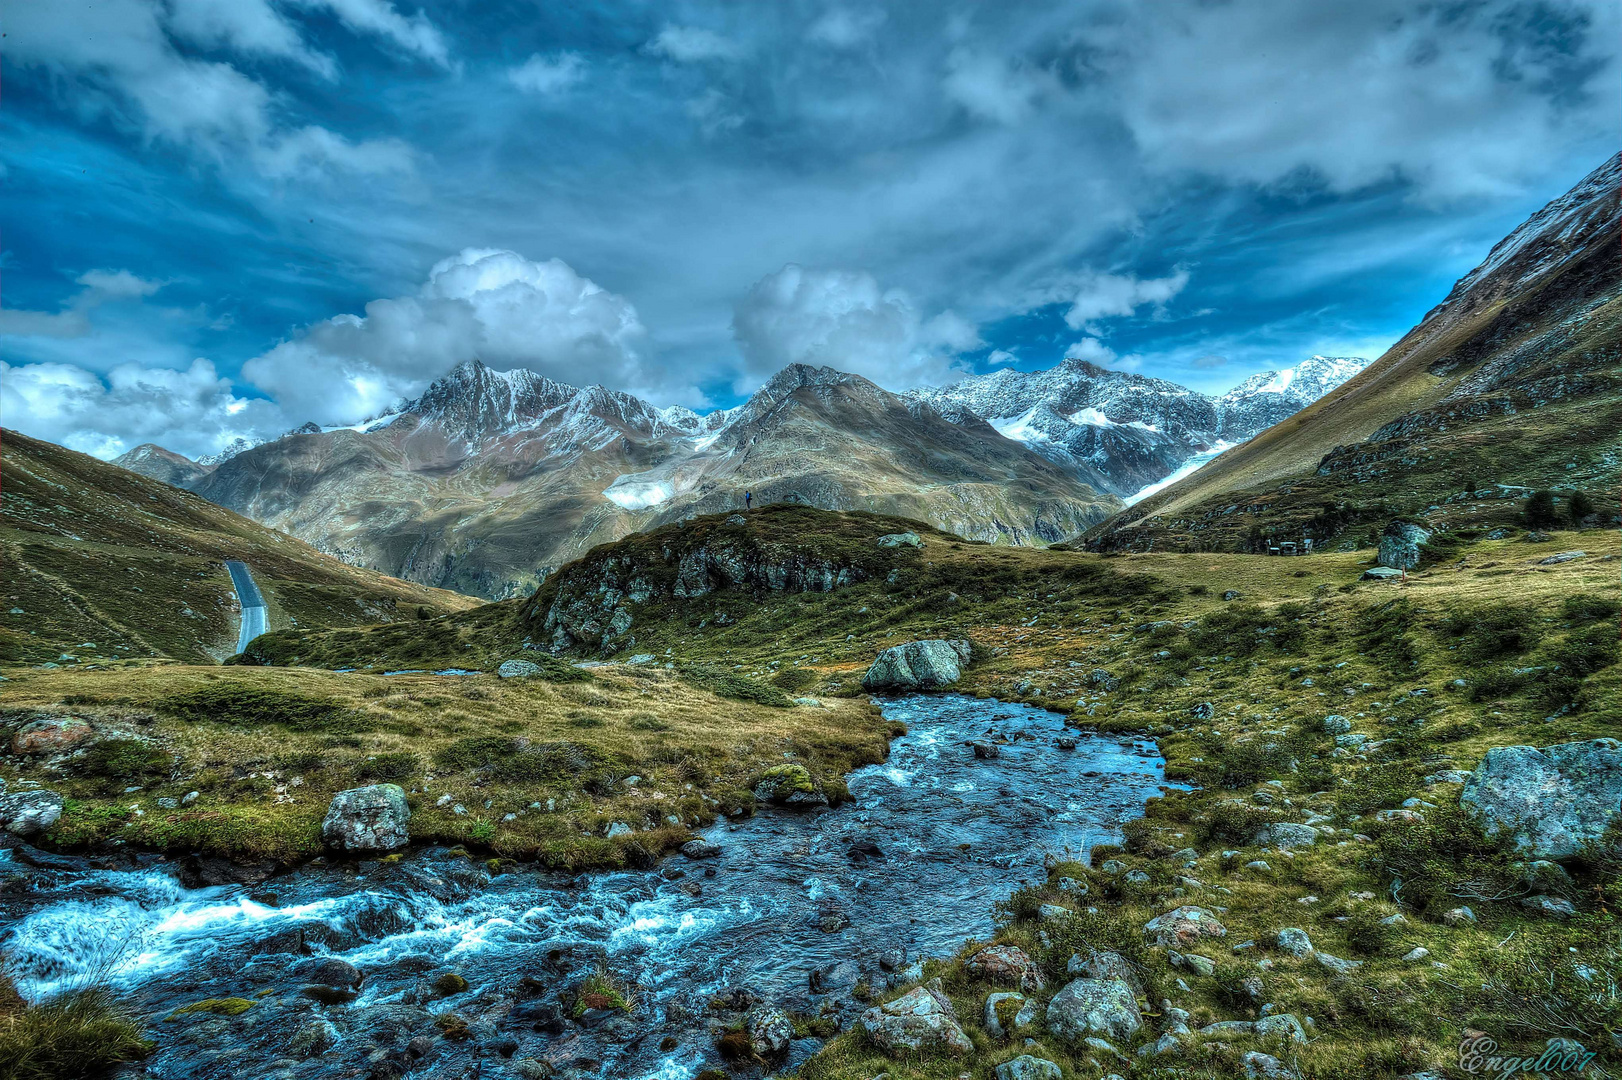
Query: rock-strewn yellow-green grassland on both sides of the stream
(1485, 646)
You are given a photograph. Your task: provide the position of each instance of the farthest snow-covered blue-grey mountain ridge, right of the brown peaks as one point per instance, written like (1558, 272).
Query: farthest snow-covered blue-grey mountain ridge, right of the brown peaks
(1123, 432)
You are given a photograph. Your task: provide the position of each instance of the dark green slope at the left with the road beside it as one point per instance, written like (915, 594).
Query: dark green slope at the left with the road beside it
(103, 564)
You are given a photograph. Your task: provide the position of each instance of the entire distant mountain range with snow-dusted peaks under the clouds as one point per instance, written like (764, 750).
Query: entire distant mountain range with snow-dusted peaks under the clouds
(492, 479)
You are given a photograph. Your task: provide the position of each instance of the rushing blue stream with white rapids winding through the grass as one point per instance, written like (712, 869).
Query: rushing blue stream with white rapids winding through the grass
(796, 912)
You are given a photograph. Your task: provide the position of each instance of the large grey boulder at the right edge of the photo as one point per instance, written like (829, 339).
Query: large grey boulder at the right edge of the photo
(1551, 802)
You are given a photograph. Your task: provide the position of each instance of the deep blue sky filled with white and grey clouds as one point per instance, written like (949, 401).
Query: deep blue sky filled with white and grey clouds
(228, 218)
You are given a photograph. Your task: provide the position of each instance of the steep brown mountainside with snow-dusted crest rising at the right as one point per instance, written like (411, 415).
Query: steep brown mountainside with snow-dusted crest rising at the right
(1511, 384)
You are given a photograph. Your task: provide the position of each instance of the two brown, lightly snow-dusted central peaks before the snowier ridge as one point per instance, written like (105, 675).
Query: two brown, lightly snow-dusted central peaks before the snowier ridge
(491, 481)
